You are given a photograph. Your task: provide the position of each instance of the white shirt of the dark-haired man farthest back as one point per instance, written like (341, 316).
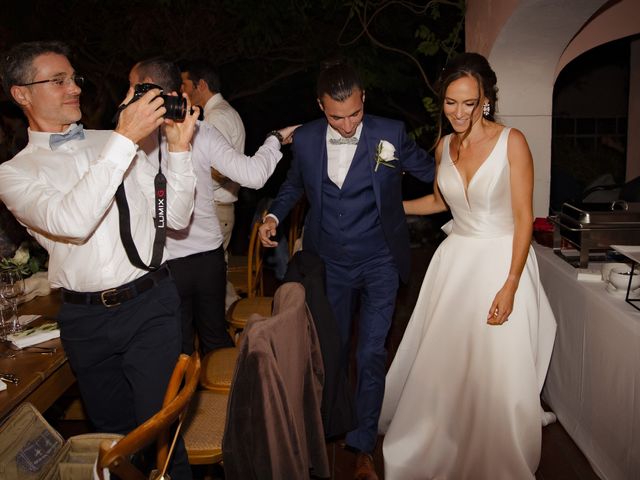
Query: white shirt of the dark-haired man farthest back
(225, 118)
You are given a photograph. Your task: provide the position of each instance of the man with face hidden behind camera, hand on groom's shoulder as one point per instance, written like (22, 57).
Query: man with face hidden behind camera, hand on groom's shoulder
(197, 252)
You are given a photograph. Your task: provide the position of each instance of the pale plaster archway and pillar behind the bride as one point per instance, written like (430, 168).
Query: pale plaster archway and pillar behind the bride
(527, 43)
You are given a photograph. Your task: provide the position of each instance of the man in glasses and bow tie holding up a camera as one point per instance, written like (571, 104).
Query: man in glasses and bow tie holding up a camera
(119, 323)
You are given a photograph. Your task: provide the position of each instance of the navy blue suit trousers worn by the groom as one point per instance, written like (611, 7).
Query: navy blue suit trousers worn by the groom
(373, 285)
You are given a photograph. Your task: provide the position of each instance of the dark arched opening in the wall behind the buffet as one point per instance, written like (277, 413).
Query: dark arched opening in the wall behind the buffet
(589, 126)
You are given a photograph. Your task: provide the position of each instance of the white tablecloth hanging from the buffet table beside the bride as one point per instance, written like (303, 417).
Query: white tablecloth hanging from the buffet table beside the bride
(593, 384)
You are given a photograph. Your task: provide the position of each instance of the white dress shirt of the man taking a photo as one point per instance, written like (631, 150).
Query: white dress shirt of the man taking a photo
(65, 198)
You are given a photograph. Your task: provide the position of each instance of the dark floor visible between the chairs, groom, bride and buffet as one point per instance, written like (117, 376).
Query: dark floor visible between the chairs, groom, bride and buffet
(561, 459)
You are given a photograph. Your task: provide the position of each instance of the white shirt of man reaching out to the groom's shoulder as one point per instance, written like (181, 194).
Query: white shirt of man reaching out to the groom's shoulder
(210, 149)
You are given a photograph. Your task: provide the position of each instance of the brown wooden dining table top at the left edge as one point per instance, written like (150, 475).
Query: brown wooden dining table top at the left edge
(44, 373)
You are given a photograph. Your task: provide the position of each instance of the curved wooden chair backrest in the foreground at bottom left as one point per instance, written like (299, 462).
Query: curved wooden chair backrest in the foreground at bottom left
(182, 385)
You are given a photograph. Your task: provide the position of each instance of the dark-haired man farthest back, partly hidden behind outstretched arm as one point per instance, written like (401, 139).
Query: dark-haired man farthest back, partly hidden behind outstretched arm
(202, 83)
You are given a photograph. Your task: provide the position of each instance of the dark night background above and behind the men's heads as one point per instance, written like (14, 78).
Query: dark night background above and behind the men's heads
(267, 53)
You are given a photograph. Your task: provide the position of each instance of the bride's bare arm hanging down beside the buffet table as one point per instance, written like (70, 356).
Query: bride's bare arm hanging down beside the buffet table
(521, 177)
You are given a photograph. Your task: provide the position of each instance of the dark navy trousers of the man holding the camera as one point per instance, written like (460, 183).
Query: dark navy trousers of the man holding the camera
(123, 357)
